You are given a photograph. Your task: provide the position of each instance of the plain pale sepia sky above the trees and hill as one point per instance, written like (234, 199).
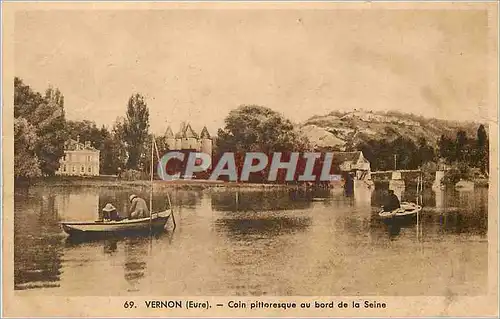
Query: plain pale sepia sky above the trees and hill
(197, 65)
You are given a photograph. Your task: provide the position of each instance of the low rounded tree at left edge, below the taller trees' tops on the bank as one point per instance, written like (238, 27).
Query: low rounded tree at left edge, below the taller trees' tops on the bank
(25, 160)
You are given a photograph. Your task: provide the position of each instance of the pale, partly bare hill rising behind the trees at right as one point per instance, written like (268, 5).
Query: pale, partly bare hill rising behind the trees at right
(342, 130)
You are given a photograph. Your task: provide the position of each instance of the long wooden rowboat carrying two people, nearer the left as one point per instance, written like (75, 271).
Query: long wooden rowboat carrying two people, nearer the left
(157, 222)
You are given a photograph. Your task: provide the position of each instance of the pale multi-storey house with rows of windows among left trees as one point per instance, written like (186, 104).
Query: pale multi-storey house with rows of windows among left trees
(80, 159)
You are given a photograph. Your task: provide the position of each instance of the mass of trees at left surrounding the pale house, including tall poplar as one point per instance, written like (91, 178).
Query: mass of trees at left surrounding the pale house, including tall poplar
(41, 130)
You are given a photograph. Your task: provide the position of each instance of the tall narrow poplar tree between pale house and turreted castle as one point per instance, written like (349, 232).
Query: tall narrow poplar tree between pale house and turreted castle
(135, 130)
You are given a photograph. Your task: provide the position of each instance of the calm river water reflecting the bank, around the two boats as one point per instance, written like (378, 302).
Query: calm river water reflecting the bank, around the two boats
(255, 243)
